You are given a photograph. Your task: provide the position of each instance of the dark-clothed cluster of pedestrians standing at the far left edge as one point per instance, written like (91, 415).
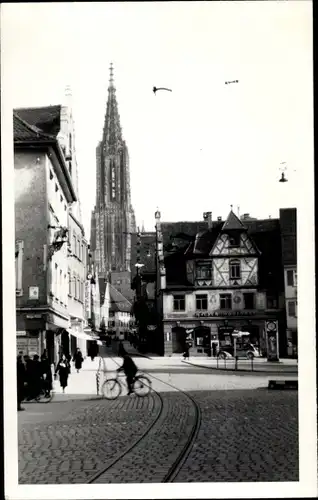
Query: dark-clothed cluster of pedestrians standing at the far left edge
(34, 377)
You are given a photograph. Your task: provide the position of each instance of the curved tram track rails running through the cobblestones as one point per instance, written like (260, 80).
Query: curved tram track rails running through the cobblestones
(171, 473)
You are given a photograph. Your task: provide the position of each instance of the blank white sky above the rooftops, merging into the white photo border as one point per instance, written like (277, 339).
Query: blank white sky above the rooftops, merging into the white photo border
(205, 145)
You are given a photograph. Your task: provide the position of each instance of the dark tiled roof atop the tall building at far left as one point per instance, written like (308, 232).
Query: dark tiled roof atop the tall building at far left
(46, 118)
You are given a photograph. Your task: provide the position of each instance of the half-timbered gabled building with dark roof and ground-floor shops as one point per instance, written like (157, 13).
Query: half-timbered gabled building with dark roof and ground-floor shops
(229, 278)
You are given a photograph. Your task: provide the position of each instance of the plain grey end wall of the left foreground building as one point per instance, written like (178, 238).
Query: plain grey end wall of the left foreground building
(31, 224)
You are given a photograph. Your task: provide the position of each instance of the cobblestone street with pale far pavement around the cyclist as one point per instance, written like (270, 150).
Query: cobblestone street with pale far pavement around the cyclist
(246, 432)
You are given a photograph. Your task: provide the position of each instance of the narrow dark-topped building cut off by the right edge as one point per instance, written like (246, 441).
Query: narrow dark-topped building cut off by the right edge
(288, 226)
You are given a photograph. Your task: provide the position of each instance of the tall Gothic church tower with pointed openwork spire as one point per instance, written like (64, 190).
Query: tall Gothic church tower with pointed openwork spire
(113, 218)
